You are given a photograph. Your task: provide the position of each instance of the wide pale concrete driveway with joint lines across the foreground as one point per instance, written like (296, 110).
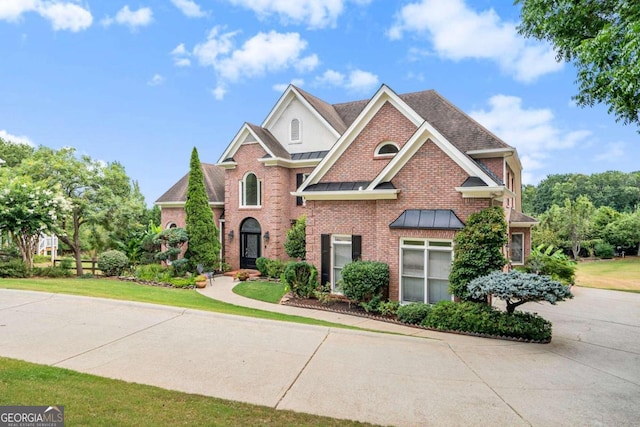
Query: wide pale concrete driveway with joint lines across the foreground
(588, 375)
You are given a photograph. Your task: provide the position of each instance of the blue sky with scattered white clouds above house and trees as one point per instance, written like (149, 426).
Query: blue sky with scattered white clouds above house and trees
(143, 82)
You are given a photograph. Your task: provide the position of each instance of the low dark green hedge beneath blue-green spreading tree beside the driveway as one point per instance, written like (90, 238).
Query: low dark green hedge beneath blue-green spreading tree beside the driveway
(483, 319)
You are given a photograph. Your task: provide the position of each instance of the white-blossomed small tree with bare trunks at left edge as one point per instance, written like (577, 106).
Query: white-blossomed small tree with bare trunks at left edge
(28, 209)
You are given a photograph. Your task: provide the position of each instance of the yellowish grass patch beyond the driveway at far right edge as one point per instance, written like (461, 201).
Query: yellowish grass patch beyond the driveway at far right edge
(621, 274)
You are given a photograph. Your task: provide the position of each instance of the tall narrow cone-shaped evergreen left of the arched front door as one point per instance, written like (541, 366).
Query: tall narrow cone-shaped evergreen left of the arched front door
(204, 243)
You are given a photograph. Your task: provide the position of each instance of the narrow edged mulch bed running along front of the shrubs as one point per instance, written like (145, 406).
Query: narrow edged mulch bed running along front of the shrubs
(344, 307)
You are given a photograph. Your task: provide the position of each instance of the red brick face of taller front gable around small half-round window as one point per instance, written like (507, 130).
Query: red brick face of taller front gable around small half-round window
(357, 163)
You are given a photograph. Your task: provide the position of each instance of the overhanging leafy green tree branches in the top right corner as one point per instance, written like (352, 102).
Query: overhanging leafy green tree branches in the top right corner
(602, 39)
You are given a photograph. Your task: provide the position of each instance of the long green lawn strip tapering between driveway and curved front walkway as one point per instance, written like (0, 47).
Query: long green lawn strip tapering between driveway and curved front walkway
(131, 291)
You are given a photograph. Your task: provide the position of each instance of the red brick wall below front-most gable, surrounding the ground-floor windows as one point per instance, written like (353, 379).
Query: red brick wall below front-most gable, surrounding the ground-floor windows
(427, 181)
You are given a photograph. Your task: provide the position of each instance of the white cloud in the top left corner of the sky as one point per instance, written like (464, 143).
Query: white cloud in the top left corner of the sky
(63, 15)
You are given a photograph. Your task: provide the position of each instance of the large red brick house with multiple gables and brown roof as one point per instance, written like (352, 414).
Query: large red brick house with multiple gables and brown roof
(391, 178)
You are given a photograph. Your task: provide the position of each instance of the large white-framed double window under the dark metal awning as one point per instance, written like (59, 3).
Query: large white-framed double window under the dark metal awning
(424, 270)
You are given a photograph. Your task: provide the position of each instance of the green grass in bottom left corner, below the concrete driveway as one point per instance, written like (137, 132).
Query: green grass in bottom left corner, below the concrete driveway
(96, 401)
